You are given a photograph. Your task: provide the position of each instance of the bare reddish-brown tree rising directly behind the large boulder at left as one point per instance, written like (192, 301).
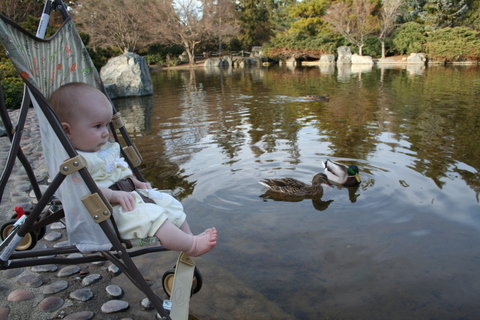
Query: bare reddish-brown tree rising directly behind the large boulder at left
(116, 22)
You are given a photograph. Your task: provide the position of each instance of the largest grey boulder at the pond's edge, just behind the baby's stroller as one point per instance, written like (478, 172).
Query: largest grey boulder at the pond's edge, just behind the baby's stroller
(127, 75)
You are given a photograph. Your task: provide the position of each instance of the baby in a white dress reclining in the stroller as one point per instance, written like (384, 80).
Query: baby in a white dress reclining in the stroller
(140, 212)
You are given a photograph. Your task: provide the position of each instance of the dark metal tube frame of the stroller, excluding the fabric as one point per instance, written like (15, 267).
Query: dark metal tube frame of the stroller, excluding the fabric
(35, 222)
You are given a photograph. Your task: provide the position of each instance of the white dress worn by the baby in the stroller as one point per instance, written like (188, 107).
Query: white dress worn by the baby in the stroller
(107, 167)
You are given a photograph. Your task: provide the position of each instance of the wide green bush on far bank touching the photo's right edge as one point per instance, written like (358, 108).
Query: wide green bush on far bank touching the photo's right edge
(453, 44)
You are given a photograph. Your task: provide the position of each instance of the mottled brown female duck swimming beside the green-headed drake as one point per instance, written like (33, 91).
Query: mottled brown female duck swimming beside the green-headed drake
(293, 187)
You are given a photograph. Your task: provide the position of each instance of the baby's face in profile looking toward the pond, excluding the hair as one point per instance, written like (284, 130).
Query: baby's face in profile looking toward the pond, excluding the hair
(89, 130)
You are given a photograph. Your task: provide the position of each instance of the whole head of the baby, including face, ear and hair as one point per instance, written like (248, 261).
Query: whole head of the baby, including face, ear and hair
(84, 113)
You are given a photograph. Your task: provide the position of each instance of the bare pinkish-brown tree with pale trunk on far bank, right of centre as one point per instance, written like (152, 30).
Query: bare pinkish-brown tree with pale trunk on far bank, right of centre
(353, 20)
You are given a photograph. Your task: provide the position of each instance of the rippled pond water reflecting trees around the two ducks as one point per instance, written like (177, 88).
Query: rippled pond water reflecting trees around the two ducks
(403, 245)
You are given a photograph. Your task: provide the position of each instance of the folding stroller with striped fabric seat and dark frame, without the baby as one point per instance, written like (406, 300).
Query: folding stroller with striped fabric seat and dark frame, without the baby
(44, 65)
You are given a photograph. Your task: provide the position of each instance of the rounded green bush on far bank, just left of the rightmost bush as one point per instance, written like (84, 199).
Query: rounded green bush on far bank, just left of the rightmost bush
(409, 38)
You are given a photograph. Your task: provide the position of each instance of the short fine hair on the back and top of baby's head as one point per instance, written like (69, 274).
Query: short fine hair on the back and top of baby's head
(66, 97)
